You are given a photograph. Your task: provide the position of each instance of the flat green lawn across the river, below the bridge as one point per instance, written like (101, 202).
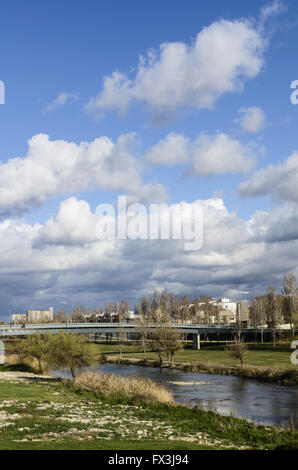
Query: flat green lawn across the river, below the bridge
(261, 355)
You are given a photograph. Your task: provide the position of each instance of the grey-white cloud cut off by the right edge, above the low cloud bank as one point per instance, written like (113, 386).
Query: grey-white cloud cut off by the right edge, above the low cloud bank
(280, 181)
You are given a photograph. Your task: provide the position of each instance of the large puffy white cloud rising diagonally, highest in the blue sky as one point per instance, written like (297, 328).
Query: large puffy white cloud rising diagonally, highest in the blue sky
(224, 55)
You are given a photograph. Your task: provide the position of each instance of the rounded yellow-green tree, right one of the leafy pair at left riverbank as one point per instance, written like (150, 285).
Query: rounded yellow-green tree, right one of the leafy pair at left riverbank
(70, 350)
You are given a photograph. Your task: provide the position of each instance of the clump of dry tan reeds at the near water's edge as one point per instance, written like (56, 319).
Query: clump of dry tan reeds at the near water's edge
(111, 385)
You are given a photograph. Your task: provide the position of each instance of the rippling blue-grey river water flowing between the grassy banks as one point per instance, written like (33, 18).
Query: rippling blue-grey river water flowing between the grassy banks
(261, 402)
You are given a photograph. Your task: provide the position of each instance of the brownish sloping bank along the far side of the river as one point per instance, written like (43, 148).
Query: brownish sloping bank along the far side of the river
(267, 374)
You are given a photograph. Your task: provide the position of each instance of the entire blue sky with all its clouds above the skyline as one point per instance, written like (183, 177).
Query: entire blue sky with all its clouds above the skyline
(163, 102)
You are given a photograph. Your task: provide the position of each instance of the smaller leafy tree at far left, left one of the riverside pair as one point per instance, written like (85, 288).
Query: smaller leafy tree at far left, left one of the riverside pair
(36, 347)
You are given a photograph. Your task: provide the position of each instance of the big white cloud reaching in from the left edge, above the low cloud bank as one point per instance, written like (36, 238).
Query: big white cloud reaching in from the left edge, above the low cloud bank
(59, 167)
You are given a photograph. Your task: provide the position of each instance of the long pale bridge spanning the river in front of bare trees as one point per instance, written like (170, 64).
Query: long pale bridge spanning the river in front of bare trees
(196, 330)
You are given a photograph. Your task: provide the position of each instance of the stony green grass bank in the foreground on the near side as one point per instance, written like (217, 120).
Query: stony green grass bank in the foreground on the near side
(44, 413)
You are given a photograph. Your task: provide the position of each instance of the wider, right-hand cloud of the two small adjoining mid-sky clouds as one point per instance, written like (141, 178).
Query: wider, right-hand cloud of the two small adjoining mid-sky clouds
(219, 154)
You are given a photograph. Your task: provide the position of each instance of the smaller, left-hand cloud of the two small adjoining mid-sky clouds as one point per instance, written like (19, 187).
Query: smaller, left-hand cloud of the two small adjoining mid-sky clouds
(169, 151)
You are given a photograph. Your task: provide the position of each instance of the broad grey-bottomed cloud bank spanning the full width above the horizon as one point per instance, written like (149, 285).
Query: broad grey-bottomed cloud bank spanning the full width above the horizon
(61, 261)
